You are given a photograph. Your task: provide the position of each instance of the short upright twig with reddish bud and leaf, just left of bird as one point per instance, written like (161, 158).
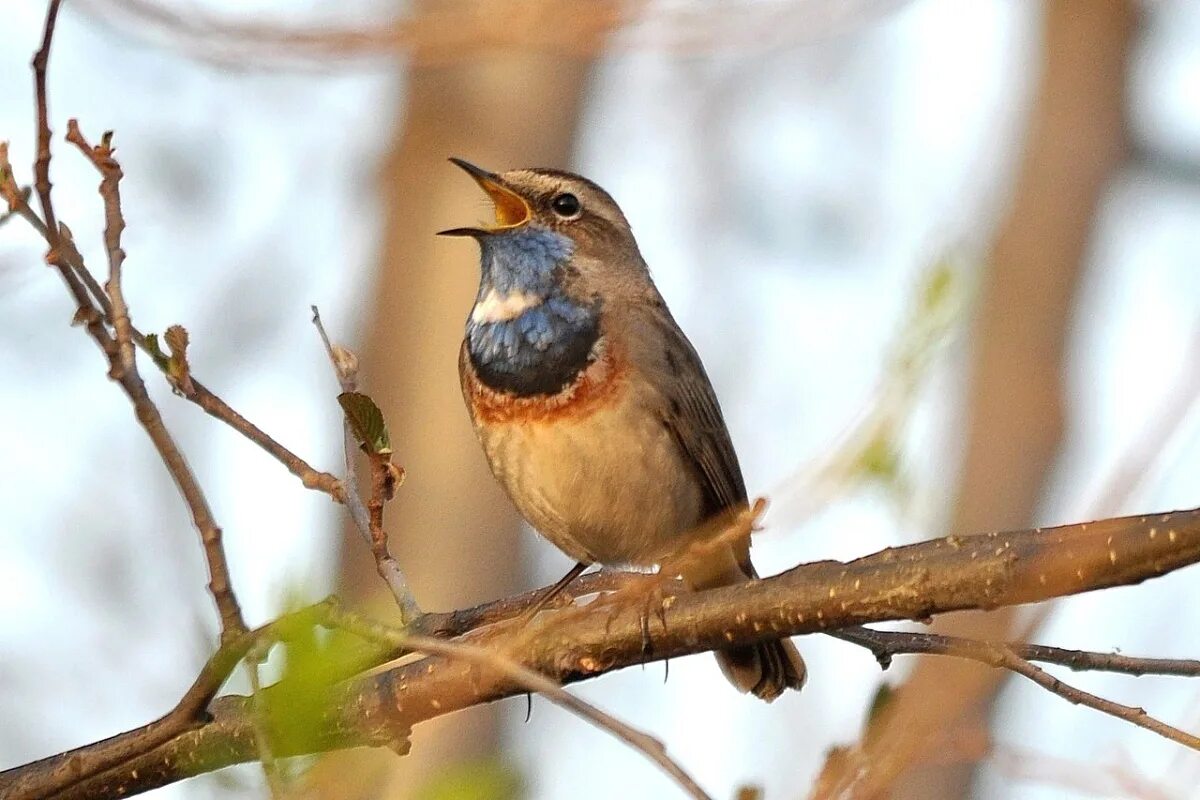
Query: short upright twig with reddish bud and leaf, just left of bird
(386, 478)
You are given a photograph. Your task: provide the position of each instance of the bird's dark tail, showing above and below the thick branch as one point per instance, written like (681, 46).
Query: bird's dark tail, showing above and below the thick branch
(766, 670)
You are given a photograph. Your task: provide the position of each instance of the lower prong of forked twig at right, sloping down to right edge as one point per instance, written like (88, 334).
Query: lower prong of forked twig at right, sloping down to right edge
(1005, 657)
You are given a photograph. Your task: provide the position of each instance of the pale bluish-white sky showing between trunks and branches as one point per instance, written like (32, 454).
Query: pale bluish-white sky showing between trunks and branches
(847, 163)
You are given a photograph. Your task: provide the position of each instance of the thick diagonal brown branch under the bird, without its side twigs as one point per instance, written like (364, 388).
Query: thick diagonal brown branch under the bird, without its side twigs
(914, 582)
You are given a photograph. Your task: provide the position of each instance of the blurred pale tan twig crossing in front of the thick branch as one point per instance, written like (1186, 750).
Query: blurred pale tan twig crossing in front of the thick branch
(650, 747)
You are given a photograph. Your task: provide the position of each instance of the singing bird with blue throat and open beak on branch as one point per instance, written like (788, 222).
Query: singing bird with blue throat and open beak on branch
(592, 407)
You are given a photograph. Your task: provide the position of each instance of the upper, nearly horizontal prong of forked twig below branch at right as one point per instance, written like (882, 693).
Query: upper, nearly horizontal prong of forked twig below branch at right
(887, 645)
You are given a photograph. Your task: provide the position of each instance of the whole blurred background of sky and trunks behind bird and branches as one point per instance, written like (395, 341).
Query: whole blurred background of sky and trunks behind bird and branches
(940, 258)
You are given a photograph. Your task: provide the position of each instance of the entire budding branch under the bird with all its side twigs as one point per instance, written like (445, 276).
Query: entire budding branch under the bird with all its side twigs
(338, 691)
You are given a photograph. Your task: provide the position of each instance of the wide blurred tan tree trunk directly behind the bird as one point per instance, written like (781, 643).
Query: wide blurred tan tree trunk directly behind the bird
(454, 532)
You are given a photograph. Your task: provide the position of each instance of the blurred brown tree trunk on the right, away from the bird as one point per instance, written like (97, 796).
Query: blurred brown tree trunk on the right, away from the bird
(1076, 142)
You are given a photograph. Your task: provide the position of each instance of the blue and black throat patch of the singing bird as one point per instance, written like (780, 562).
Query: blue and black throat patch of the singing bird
(544, 348)
